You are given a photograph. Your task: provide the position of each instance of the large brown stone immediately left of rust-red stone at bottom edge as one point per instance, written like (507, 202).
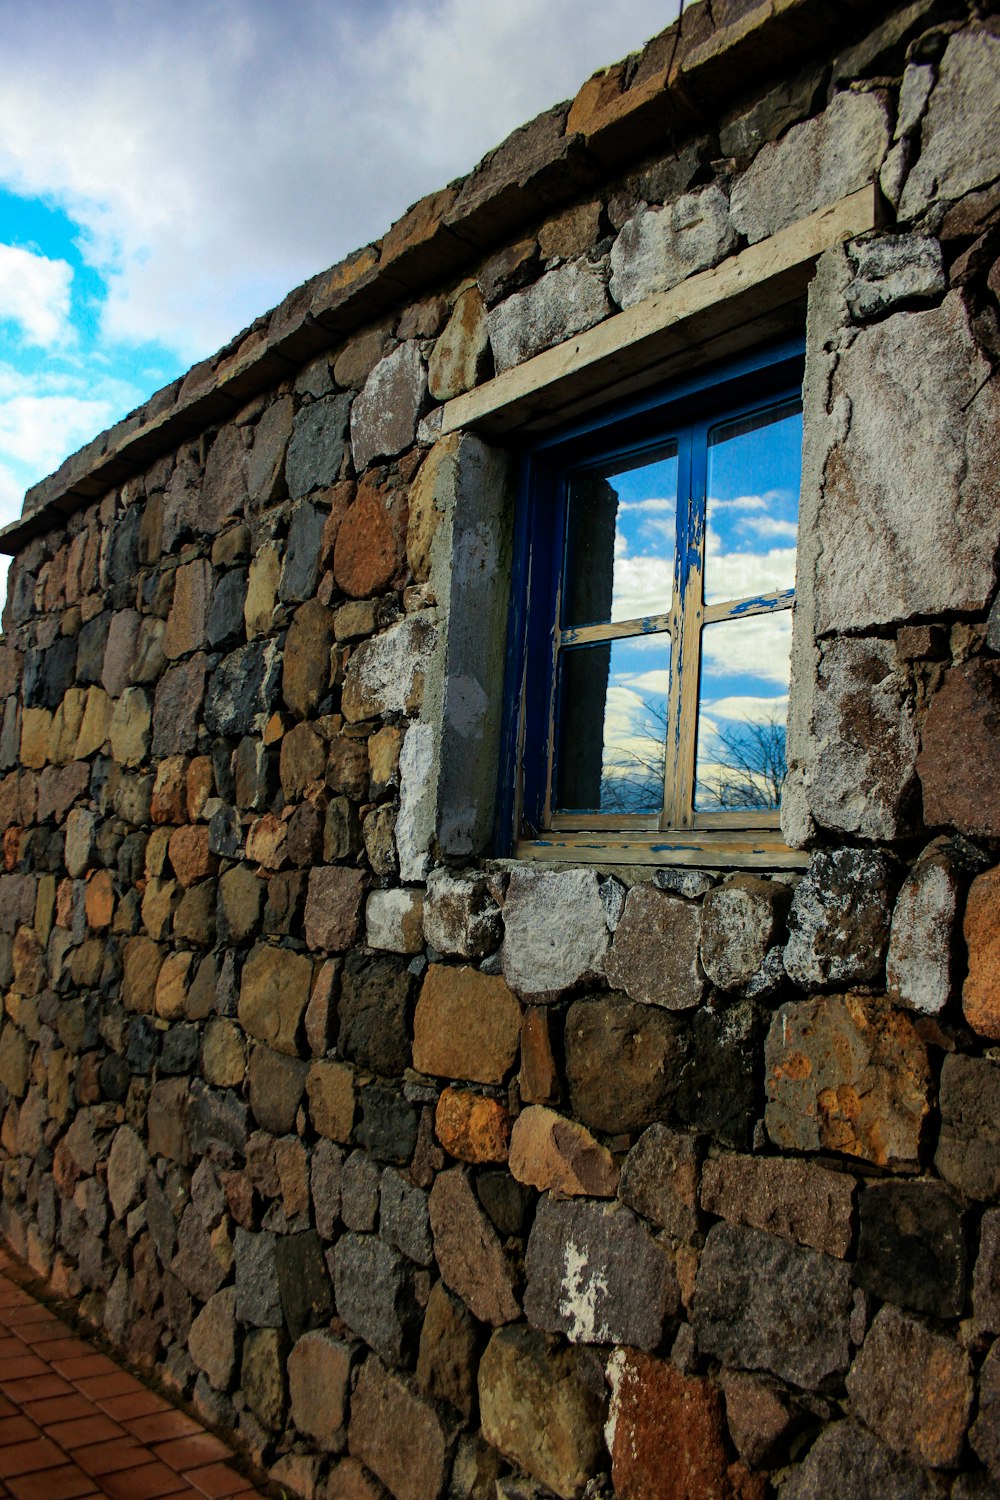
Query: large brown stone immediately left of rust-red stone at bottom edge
(540, 1409)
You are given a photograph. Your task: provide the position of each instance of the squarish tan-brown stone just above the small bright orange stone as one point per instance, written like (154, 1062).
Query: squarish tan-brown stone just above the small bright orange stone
(467, 1025)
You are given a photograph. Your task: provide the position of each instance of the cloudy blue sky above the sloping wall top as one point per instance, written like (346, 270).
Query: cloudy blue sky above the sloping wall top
(167, 173)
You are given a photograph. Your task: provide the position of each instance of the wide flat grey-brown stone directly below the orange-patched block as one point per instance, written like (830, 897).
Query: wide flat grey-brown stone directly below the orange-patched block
(795, 1199)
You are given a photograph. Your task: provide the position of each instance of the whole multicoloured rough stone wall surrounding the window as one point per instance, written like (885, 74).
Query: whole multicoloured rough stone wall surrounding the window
(452, 1175)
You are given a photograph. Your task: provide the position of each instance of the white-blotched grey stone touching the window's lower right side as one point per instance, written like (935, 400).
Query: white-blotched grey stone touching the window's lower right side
(863, 776)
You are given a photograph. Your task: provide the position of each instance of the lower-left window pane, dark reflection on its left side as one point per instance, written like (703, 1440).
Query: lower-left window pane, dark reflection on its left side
(611, 727)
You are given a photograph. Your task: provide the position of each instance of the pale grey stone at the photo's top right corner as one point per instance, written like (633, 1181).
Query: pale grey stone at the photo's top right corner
(959, 137)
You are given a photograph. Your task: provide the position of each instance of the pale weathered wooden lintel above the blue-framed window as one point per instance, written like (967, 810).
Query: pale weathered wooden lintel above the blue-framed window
(641, 344)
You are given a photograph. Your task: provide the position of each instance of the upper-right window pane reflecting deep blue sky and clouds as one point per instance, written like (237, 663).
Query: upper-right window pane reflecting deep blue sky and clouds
(755, 469)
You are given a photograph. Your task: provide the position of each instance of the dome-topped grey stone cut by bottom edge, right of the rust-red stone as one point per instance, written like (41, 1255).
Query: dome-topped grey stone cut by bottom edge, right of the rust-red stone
(852, 1463)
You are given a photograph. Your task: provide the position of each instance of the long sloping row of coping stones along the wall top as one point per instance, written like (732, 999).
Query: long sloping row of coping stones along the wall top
(681, 79)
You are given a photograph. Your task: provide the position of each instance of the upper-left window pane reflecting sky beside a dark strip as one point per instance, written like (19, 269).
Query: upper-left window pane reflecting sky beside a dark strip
(621, 523)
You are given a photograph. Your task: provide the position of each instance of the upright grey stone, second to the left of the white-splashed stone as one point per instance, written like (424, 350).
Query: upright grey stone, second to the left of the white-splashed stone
(376, 1297)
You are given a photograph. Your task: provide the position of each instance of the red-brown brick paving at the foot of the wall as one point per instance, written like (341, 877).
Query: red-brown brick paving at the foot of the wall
(76, 1424)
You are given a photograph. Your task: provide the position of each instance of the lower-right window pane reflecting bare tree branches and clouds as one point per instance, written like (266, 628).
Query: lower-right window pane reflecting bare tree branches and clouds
(743, 710)
